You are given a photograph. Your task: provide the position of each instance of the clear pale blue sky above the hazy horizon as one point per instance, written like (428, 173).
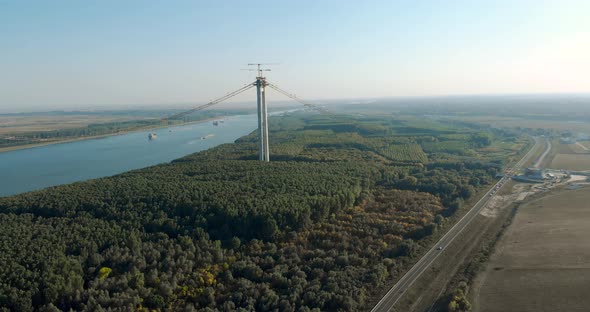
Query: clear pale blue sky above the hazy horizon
(65, 54)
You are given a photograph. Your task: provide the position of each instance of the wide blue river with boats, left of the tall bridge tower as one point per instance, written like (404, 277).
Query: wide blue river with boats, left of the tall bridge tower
(39, 167)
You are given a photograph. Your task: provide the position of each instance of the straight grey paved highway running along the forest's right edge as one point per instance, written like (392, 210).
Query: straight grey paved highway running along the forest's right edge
(397, 291)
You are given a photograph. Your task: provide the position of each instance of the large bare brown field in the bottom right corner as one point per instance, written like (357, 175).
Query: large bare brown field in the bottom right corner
(542, 262)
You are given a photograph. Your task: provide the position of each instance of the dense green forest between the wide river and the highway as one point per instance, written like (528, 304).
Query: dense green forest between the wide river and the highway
(343, 206)
